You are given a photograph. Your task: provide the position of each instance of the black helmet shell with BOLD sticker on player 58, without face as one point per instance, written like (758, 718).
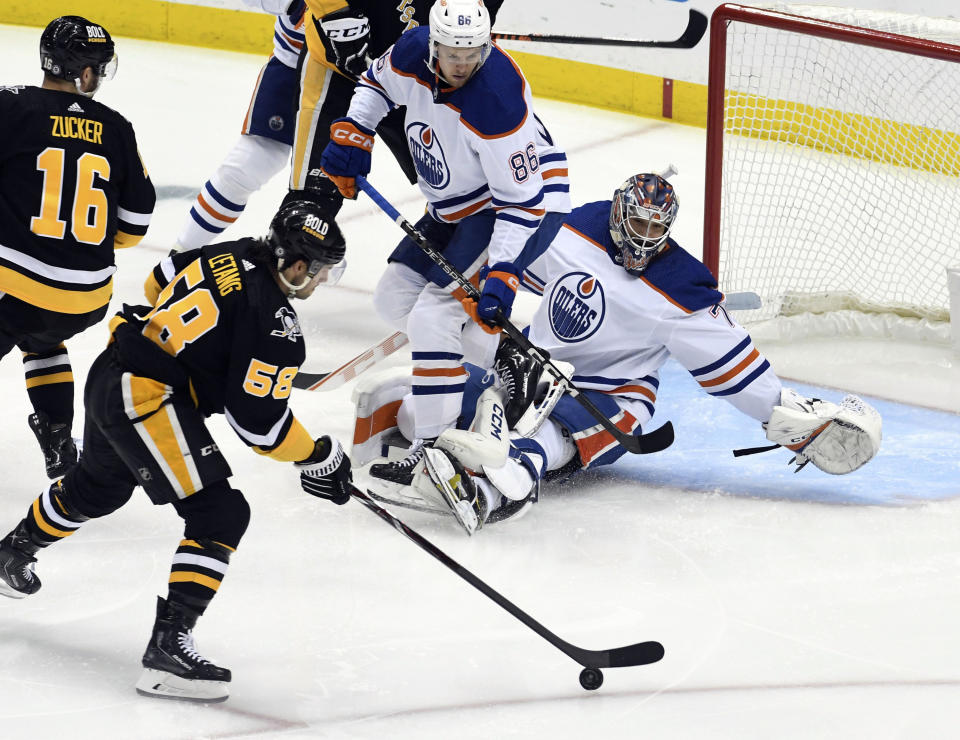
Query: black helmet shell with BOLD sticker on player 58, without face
(301, 230)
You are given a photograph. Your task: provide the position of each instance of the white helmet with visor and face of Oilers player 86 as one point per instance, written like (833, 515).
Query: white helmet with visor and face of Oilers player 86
(460, 30)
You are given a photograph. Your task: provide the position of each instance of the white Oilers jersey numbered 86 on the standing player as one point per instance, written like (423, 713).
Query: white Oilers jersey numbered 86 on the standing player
(476, 147)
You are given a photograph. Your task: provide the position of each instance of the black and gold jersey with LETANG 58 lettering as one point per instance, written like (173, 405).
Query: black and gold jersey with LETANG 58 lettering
(233, 331)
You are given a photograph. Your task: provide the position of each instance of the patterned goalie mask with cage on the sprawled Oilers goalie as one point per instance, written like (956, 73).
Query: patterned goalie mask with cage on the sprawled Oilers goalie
(641, 215)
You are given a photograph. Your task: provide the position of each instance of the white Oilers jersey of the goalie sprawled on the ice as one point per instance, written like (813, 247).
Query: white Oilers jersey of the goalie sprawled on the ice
(618, 329)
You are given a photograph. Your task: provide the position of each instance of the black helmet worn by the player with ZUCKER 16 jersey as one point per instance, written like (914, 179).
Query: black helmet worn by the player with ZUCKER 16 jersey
(69, 44)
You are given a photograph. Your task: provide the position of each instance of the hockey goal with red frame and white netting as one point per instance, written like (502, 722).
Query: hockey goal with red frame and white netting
(833, 160)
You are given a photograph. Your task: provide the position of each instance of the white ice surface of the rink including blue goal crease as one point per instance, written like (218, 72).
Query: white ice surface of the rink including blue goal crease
(791, 606)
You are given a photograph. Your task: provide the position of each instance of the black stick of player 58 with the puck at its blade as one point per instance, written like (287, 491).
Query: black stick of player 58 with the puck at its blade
(641, 653)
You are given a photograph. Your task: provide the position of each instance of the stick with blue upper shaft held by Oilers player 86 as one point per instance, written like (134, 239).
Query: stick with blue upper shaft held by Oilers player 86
(655, 441)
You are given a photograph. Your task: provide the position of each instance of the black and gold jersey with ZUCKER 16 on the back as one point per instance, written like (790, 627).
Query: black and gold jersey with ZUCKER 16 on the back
(72, 187)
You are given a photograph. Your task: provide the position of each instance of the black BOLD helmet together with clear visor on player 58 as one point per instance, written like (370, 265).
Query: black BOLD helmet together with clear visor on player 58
(300, 231)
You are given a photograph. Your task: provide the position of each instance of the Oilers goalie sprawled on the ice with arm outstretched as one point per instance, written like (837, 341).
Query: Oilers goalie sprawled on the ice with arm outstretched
(619, 298)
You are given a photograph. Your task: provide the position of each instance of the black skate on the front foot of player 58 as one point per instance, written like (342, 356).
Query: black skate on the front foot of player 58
(172, 667)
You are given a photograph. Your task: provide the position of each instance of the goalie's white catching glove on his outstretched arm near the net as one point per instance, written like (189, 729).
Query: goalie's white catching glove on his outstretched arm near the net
(837, 439)
